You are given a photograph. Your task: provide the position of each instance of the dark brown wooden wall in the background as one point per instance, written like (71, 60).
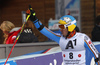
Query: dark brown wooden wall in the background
(45, 9)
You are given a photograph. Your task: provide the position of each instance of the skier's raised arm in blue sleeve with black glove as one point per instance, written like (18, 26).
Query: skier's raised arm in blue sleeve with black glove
(45, 31)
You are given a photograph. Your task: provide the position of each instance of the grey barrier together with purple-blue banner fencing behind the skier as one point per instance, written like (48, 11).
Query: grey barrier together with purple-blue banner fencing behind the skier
(30, 54)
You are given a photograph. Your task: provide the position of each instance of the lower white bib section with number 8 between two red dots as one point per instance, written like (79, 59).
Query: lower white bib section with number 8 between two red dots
(73, 57)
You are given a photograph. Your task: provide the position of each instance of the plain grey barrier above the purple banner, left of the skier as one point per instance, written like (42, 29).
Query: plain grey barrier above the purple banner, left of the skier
(24, 48)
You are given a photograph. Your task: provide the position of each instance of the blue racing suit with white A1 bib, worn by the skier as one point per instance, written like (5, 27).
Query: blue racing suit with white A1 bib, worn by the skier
(74, 48)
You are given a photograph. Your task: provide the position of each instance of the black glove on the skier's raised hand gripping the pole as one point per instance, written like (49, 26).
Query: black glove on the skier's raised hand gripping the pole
(32, 14)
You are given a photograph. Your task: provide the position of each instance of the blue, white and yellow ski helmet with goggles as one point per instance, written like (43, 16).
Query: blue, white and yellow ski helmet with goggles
(67, 21)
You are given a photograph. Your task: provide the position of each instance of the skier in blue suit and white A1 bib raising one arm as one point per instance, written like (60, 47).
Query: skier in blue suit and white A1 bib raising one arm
(72, 43)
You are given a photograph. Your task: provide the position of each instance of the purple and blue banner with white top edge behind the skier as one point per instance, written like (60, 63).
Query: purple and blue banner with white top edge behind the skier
(45, 59)
